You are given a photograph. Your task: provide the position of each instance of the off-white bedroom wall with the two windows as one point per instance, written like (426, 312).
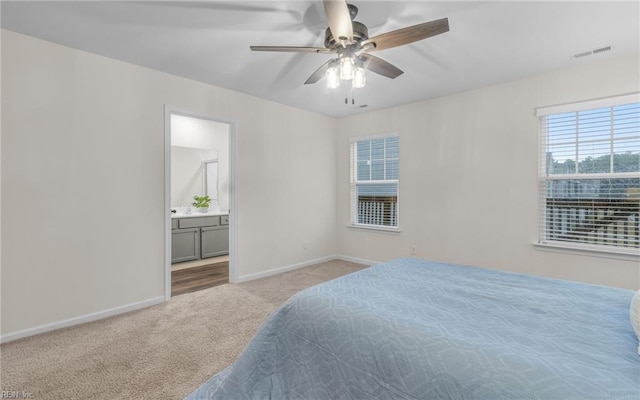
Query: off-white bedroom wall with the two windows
(468, 176)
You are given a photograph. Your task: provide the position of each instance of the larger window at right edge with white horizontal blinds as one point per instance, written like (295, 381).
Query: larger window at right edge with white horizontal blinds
(590, 174)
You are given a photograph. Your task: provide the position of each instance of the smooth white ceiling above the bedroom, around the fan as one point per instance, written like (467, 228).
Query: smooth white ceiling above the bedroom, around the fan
(488, 42)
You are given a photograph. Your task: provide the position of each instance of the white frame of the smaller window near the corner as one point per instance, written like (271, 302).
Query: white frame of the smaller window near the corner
(354, 182)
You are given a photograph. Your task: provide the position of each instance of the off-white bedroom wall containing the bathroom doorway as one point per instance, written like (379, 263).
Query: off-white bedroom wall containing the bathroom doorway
(83, 182)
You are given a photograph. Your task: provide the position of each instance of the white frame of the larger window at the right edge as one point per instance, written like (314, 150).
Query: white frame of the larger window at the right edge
(606, 250)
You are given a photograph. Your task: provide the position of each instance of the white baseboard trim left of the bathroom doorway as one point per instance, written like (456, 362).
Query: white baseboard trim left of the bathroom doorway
(81, 319)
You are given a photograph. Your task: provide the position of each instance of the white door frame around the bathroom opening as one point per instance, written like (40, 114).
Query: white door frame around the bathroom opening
(233, 201)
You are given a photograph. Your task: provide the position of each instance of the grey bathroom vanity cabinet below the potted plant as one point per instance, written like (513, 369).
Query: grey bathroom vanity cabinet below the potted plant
(194, 237)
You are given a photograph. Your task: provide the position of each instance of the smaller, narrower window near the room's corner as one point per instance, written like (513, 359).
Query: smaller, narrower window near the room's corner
(374, 182)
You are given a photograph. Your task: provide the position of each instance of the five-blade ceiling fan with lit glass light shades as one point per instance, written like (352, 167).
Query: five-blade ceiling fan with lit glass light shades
(350, 40)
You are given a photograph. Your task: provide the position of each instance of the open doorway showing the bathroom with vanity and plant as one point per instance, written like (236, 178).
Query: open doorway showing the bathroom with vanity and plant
(199, 198)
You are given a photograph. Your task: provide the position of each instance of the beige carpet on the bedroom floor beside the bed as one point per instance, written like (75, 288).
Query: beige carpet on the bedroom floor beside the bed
(162, 352)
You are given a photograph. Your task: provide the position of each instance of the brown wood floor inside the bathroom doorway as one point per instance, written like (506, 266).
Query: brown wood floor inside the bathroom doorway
(197, 278)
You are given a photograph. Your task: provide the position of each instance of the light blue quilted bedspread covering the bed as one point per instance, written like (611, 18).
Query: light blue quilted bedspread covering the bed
(413, 329)
